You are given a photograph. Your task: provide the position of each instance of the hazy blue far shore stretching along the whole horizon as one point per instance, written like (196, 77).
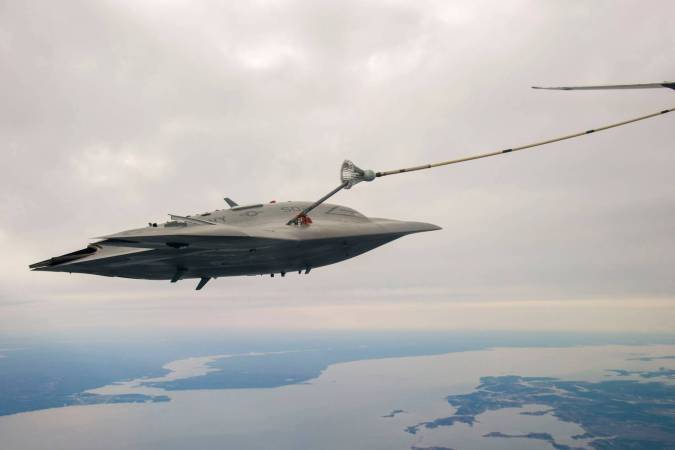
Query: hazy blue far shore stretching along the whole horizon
(46, 373)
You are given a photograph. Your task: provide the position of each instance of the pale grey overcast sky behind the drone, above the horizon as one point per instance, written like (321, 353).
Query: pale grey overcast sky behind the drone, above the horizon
(114, 114)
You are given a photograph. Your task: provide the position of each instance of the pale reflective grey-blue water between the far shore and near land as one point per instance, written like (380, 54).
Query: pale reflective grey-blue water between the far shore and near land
(342, 408)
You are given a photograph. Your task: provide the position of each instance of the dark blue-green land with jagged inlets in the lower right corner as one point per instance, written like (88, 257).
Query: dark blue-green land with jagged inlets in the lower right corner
(616, 414)
